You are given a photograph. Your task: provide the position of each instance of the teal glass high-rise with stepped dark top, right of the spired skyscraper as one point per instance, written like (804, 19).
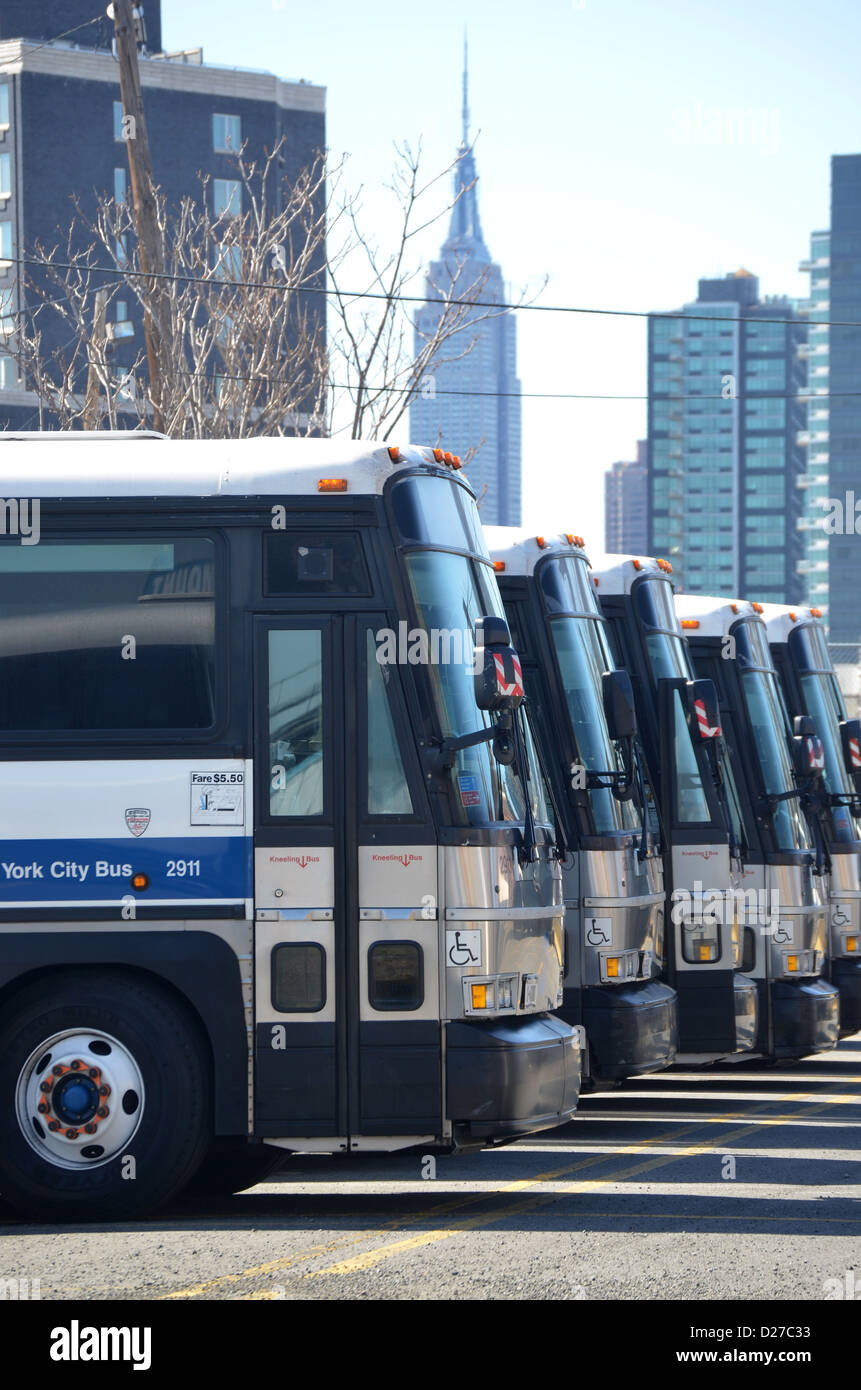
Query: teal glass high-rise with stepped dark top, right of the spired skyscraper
(724, 426)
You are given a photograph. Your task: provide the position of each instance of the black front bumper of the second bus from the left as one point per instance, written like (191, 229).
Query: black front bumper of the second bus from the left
(631, 1031)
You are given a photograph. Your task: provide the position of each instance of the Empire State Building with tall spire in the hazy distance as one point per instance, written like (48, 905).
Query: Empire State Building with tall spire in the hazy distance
(472, 402)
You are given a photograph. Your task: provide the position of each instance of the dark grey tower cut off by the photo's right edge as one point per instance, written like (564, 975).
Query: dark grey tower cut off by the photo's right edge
(844, 306)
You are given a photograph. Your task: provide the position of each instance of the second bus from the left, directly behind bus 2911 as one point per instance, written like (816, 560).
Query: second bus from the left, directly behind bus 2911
(613, 875)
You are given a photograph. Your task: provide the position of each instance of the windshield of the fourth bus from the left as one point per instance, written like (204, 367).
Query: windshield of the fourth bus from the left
(769, 725)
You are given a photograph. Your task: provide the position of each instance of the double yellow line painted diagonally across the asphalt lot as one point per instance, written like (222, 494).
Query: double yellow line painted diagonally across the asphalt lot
(521, 1185)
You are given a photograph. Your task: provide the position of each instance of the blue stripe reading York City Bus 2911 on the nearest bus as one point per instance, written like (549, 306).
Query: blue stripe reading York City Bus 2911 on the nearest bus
(182, 867)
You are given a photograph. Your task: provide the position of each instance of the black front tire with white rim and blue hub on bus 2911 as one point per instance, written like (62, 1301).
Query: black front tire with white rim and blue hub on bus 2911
(105, 1097)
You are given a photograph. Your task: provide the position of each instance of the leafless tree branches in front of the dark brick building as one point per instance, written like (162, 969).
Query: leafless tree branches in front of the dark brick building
(244, 345)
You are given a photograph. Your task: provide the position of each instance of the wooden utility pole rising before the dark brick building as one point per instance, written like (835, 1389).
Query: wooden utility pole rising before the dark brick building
(144, 201)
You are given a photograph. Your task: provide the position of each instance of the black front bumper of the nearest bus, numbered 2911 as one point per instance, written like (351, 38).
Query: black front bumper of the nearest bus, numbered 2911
(510, 1077)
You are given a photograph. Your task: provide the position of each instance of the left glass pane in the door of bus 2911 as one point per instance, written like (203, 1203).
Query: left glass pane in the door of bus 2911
(296, 722)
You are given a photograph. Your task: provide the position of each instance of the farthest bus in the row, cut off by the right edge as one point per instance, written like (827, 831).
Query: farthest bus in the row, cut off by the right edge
(812, 693)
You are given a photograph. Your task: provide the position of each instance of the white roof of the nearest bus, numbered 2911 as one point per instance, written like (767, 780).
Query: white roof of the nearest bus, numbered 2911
(45, 465)
